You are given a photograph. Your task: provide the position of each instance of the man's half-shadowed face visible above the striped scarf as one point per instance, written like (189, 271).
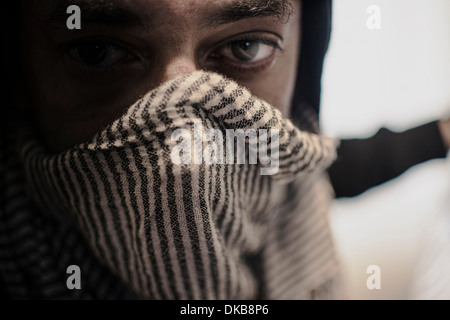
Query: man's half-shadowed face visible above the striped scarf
(81, 80)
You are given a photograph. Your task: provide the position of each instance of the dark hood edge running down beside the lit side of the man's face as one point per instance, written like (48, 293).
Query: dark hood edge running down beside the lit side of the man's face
(315, 37)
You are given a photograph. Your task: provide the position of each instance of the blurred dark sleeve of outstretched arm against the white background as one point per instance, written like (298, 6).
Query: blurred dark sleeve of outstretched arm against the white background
(365, 163)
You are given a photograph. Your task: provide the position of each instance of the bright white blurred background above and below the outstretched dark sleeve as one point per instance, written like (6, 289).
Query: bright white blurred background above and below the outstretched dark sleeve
(397, 77)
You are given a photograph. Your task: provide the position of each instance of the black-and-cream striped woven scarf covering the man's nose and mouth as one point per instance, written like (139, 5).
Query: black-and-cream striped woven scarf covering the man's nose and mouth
(194, 231)
